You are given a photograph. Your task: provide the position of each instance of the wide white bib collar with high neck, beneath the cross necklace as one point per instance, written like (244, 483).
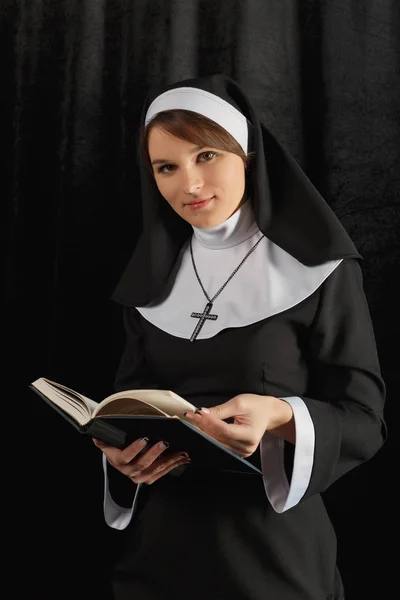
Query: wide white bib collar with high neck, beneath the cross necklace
(268, 283)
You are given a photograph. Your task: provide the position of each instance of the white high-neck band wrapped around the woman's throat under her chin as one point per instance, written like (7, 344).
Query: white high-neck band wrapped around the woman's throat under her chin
(235, 230)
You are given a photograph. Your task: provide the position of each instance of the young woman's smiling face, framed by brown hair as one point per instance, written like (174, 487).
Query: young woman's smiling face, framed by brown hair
(205, 186)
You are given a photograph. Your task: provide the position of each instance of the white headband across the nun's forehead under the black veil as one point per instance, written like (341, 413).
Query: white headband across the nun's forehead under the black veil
(206, 104)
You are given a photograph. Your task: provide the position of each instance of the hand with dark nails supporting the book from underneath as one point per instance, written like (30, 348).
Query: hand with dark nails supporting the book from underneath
(146, 468)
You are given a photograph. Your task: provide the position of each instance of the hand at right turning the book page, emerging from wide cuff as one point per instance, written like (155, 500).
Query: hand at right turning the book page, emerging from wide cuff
(252, 414)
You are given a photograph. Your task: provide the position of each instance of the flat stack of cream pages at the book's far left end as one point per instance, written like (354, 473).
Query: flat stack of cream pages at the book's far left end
(77, 406)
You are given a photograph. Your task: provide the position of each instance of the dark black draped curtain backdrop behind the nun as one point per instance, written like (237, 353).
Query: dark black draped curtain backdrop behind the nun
(325, 77)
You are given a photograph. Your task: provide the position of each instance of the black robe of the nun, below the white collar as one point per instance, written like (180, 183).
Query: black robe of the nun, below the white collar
(199, 536)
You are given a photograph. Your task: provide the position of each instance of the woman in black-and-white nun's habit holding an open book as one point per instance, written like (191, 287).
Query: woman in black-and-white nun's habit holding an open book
(244, 295)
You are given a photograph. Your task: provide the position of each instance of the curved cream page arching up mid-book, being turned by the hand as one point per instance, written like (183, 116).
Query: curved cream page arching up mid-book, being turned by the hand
(166, 401)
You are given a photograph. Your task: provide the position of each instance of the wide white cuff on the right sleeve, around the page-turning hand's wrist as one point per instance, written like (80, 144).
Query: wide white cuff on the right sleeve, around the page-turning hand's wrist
(281, 495)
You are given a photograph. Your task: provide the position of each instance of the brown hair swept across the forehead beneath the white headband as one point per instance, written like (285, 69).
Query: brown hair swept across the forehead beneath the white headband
(195, 128)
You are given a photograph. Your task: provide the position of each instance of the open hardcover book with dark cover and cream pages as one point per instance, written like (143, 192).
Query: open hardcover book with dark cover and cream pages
(126, 416)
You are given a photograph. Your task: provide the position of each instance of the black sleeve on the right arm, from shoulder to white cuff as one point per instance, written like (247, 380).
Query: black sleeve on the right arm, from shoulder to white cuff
(346, 392)
